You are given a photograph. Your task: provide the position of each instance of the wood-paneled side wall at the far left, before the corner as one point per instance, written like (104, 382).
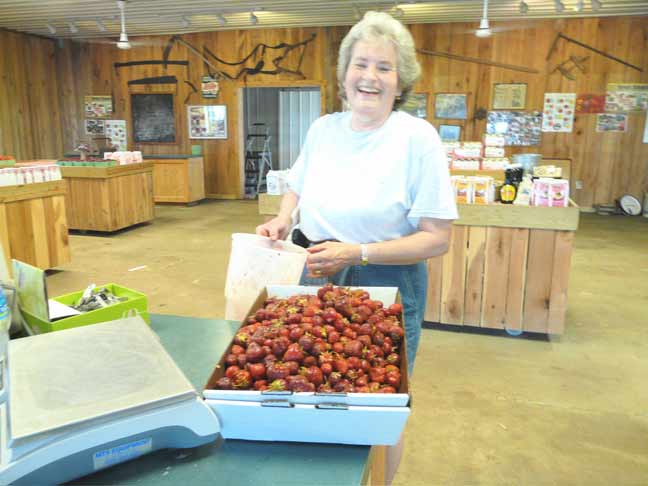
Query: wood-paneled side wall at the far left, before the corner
(29, 103)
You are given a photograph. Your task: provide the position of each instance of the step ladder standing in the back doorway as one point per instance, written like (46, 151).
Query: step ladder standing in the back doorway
(258, 159)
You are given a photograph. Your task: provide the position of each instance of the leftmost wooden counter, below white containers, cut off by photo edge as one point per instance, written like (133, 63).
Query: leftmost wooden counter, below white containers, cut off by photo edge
(33, 224)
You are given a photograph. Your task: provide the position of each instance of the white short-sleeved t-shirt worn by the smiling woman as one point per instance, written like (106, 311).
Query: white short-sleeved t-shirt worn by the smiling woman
(370, 186)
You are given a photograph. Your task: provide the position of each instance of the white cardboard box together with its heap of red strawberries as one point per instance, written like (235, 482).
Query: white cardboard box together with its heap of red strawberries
(315, 364)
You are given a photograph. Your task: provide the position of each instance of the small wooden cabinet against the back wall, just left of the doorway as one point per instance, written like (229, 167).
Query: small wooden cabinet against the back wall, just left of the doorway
(179, 180)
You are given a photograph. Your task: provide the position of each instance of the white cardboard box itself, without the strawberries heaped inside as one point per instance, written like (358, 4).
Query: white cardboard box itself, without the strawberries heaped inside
(341, 418)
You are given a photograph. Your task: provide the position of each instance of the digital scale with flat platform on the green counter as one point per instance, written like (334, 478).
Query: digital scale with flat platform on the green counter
(83, 399)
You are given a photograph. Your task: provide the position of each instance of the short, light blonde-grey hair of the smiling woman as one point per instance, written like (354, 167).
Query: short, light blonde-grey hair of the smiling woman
(379, 25)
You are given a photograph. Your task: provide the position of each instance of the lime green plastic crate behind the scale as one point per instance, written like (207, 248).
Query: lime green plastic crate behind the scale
(136, 302)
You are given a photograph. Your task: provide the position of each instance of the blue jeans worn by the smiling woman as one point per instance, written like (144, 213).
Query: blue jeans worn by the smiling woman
(411, 281)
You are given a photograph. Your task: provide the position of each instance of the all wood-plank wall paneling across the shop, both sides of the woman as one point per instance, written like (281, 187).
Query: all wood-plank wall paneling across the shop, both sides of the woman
(608, 164)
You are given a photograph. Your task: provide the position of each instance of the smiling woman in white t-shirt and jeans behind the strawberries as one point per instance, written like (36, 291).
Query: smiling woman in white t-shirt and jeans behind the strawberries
(372, 184)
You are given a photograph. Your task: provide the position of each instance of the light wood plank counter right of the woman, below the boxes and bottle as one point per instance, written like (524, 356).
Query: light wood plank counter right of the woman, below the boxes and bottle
(507, 268)
